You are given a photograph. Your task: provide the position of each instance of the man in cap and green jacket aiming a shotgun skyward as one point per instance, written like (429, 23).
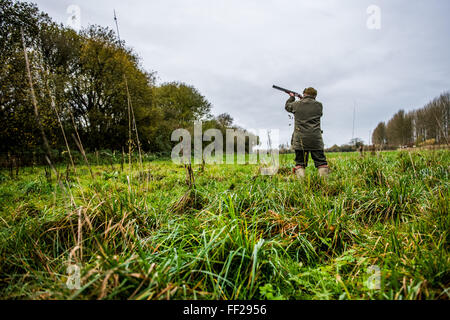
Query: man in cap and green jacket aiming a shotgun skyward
(307, 138)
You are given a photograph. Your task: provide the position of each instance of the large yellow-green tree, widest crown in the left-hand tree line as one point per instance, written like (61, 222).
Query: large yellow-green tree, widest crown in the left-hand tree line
(98, 91)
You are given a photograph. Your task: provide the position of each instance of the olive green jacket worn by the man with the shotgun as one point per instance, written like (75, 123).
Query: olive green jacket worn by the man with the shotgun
(307, 133)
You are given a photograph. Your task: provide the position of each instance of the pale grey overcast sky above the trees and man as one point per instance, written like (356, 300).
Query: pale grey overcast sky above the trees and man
(233, 51)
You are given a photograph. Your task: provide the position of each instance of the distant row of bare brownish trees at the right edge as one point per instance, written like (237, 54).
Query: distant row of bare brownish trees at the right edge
(425, 126)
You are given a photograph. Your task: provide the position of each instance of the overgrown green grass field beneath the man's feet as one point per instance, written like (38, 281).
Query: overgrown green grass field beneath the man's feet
(234, 235)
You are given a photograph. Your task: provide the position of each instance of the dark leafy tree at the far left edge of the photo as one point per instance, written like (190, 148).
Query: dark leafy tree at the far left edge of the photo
(19, 131)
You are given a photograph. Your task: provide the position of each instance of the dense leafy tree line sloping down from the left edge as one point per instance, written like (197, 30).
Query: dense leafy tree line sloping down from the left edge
(90, 86)
